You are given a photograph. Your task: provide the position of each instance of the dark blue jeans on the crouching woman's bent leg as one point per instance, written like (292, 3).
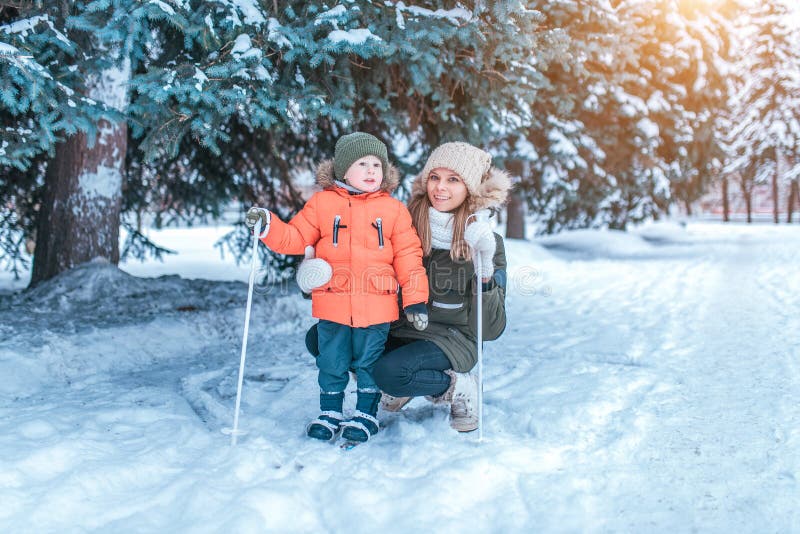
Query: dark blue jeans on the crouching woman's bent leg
(413, 370)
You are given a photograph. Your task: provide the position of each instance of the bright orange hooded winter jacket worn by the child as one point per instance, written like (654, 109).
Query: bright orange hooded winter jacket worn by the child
(366, 271)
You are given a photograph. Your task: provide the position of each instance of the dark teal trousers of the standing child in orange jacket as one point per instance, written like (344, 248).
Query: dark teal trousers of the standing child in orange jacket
(342, 347)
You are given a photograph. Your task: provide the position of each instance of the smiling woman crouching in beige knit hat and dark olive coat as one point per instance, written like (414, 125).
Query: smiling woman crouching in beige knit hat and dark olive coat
(456, 182)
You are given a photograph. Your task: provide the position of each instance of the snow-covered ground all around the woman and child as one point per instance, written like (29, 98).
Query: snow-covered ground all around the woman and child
(646, 382)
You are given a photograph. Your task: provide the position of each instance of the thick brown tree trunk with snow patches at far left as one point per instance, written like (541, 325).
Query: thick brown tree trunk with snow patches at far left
(80, 214)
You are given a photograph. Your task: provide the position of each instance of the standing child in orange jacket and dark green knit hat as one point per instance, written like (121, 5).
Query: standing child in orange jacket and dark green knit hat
(365, 247)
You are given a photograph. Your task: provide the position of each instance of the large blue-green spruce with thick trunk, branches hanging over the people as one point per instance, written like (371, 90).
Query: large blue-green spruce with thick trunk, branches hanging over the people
(231, 99)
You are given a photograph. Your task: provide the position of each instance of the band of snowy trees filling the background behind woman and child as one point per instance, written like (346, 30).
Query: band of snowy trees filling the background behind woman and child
(124, 113)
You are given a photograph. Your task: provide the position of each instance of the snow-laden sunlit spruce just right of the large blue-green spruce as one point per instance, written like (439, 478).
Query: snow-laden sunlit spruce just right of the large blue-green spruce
(591, 149)
